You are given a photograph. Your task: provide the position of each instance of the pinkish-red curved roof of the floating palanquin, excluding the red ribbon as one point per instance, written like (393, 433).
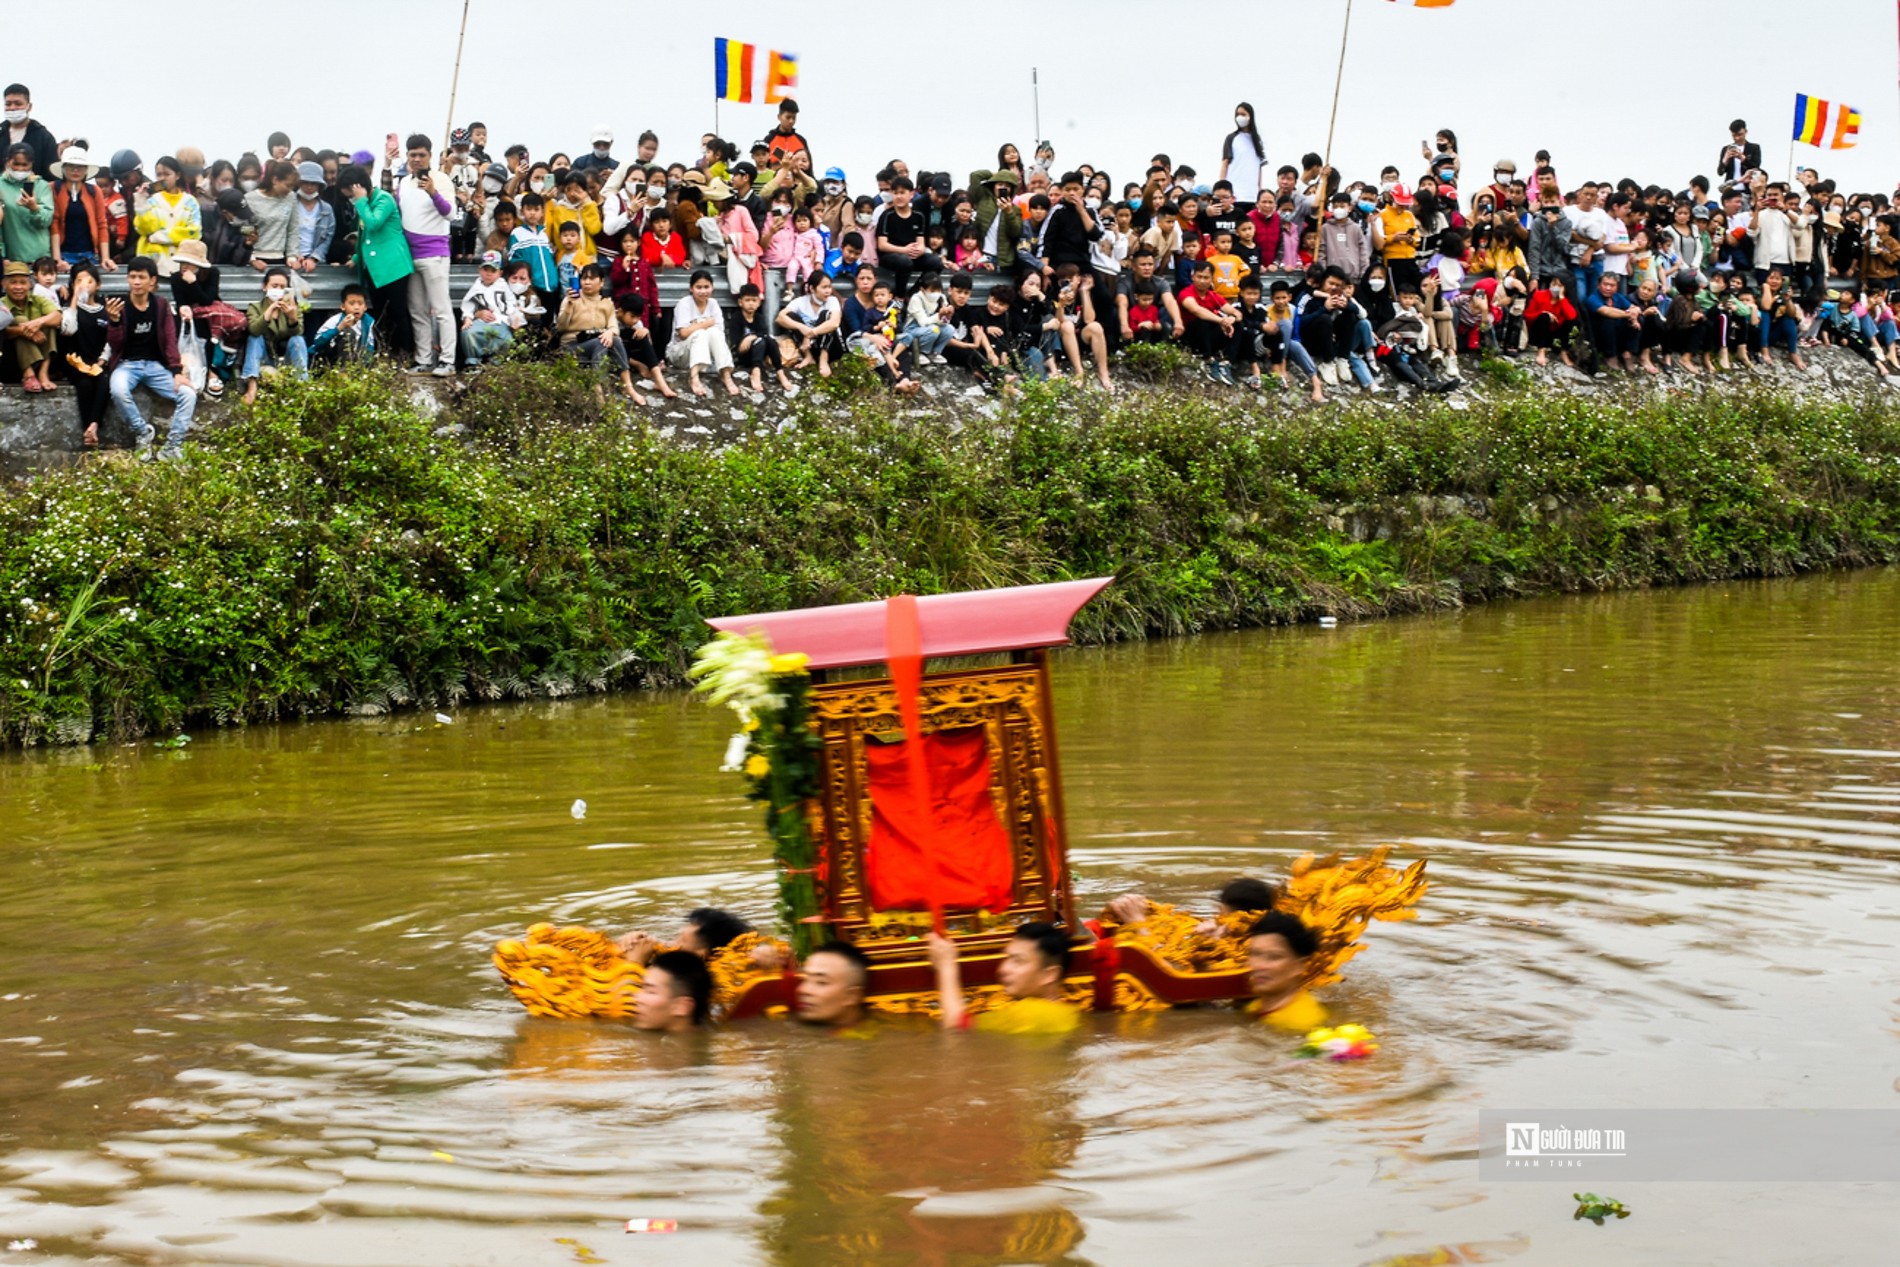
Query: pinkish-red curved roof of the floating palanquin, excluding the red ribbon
(970, 624)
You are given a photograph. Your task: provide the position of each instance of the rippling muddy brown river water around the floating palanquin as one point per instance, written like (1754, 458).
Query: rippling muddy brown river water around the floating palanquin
(250, 1017)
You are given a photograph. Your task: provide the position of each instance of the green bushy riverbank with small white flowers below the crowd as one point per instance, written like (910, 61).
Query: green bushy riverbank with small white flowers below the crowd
(337, 550)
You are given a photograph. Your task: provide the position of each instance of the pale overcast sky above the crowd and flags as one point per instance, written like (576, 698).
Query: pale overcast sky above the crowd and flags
(1614, 88)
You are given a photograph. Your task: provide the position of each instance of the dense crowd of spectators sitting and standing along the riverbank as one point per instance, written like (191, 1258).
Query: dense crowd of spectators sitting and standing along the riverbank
(1023, 269)
